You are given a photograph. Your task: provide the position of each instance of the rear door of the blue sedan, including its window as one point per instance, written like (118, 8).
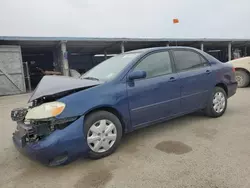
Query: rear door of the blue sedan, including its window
(196, 80)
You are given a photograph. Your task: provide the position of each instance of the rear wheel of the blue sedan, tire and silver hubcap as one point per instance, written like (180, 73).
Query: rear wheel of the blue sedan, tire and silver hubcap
(211, 110)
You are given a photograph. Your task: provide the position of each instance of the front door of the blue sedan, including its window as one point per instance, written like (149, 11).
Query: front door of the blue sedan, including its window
(158, 95)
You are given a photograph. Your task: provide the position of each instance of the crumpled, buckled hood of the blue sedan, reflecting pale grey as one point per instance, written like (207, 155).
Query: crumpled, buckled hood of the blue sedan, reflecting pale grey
(50, 85)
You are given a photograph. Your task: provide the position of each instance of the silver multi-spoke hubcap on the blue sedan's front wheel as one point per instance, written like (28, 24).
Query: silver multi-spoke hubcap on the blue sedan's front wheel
(101, 136)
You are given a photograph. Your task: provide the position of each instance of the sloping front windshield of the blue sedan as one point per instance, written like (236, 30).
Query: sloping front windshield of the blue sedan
(110, 68)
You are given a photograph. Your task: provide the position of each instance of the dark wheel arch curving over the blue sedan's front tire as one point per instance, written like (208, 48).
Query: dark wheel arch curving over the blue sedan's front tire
(111, 110)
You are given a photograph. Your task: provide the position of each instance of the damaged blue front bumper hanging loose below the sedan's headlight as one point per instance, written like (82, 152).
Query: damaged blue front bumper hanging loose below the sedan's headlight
(60, 147)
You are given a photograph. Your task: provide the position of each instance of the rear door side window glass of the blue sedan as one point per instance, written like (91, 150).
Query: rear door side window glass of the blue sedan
(185, 60)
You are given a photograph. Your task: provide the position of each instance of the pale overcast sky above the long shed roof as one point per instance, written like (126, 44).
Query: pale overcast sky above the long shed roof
(126, 18)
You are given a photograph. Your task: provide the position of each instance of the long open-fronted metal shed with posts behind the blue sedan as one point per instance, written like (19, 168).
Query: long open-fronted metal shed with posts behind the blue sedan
(21, 58)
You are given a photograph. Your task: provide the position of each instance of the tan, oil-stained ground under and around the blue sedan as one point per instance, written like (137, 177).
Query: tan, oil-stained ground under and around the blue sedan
(191, 151)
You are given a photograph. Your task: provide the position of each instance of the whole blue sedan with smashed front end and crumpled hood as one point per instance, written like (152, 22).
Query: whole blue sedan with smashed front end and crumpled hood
(68, 117)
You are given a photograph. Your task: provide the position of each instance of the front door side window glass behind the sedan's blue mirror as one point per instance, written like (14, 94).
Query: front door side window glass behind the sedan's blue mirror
(155, 64)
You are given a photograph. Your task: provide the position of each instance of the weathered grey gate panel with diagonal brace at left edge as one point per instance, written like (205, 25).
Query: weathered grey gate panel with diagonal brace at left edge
(11, 71)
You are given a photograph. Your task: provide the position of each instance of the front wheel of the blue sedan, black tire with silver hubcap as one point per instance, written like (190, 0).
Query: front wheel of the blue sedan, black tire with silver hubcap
(99, 128)
